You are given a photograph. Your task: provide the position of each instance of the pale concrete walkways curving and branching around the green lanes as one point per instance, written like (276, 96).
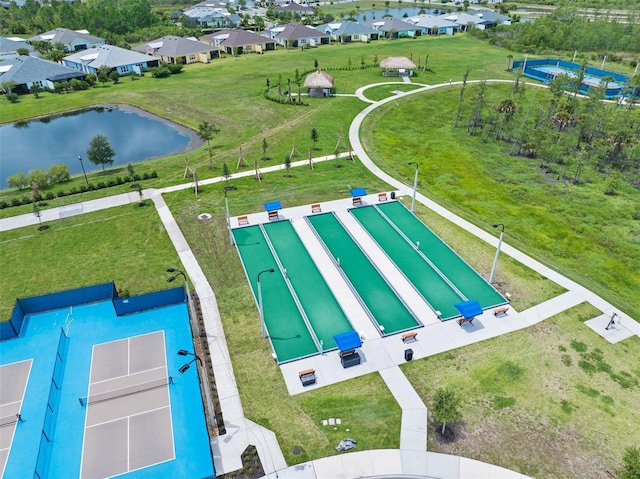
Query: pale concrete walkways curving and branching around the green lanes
(382, 355)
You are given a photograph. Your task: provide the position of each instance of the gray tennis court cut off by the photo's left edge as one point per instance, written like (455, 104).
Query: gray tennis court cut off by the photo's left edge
(13, 384)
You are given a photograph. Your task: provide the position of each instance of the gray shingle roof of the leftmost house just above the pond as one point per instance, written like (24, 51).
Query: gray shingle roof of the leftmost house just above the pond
(31, 69)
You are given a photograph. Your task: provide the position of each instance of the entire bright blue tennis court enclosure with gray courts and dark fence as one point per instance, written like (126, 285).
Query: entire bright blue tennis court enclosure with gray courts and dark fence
(103, 372)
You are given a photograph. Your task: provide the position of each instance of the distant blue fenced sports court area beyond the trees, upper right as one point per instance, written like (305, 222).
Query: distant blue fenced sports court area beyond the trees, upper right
(548, 69)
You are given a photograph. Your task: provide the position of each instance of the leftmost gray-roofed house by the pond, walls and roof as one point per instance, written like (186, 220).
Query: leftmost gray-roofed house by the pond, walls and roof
(25, 71)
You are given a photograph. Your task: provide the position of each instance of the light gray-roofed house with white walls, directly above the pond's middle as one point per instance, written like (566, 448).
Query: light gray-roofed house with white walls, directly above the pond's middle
(116, 58)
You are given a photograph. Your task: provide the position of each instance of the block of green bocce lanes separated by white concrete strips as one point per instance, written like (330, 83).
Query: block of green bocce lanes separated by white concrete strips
(363, 264)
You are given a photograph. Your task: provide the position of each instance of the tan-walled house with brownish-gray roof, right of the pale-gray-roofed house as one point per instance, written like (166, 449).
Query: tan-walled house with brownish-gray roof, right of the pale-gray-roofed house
(178, 50)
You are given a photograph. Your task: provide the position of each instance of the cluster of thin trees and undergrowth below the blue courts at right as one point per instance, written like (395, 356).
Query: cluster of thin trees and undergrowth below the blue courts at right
(572, 138)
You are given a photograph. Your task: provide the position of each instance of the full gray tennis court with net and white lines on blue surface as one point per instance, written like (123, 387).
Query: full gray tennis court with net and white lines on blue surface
(128, 407)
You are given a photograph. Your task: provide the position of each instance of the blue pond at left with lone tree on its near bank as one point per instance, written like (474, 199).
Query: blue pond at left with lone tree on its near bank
(135, 135)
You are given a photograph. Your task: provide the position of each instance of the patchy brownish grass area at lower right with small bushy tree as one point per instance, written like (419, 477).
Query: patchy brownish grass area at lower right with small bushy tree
(554, 400)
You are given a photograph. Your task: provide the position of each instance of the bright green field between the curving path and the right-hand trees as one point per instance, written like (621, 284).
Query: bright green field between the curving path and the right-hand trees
(582, 232)
